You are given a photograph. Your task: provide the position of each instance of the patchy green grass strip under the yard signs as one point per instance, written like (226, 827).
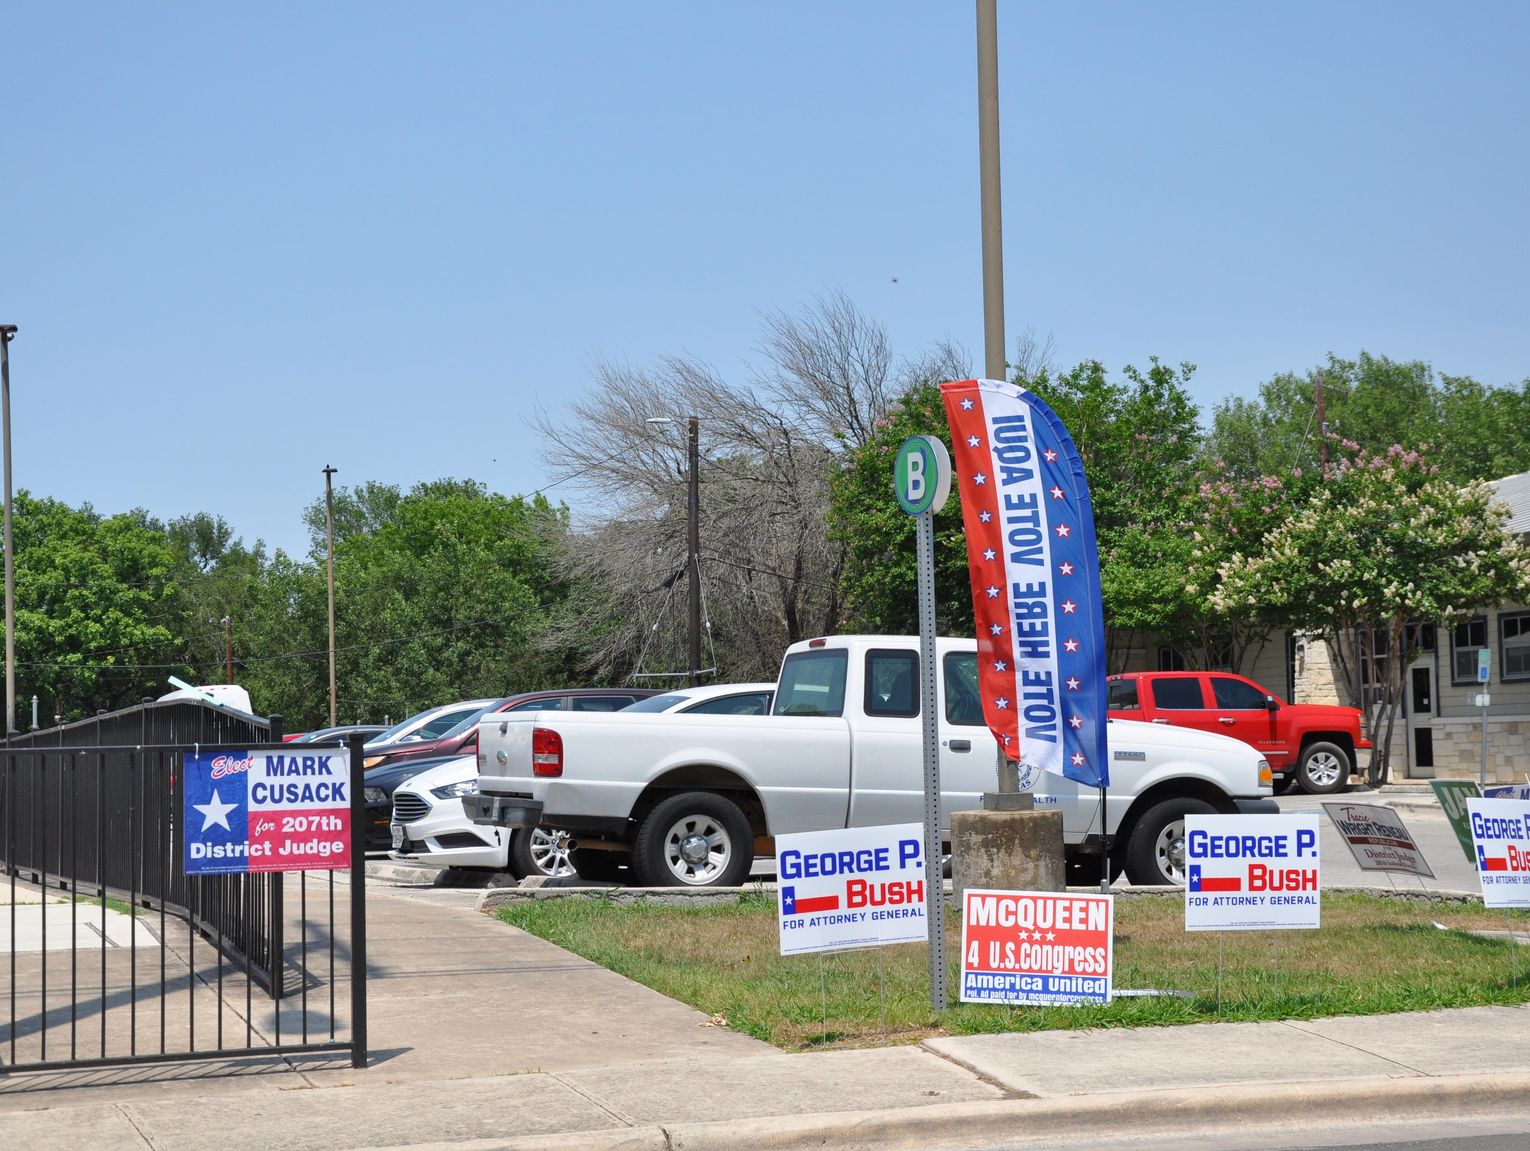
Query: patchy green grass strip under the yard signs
(1372, 956)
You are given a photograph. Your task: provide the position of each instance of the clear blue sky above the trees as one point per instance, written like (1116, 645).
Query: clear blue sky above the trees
(249, 241)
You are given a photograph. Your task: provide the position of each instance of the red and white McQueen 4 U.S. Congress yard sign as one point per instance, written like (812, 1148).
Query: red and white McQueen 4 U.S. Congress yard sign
(1037, 948)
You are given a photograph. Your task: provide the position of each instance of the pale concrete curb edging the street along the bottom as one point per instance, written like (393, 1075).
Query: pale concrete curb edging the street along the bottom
(1206, 1110)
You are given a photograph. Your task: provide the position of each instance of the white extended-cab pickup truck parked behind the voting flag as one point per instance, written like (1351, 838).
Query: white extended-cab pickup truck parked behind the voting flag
(689, 800)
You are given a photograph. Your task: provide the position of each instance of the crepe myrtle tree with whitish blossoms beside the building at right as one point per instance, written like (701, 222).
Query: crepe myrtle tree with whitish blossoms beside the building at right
(1382, 543)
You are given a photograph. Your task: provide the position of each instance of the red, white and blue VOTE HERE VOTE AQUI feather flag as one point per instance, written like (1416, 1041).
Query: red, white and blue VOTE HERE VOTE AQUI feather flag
(1035, 578)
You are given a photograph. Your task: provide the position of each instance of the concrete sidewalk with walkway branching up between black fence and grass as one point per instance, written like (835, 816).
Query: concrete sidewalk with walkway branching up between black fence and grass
(575, 1057)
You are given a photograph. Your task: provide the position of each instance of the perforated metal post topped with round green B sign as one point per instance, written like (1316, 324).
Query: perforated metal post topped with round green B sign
(922, 478)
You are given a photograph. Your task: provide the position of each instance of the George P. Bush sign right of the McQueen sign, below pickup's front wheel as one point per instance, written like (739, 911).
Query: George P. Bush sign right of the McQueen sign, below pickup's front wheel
(1251, 873)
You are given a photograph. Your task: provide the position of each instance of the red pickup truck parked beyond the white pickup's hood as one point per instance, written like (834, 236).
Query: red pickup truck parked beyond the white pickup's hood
(1309, 745)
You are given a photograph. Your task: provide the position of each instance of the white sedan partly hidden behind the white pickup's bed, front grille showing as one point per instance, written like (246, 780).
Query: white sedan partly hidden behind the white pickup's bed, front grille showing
(431, 827)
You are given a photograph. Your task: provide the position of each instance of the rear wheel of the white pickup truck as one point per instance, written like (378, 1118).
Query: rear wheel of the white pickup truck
(695, 840)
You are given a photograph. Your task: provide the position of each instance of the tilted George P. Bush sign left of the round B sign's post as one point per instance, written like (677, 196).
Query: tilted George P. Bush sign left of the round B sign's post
(851, 889)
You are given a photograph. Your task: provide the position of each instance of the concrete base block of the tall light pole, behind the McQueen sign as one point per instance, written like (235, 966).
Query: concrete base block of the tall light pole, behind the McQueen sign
(1008, 850)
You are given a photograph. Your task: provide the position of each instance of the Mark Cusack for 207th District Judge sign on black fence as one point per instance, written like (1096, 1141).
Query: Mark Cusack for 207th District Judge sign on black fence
(267, 810)
